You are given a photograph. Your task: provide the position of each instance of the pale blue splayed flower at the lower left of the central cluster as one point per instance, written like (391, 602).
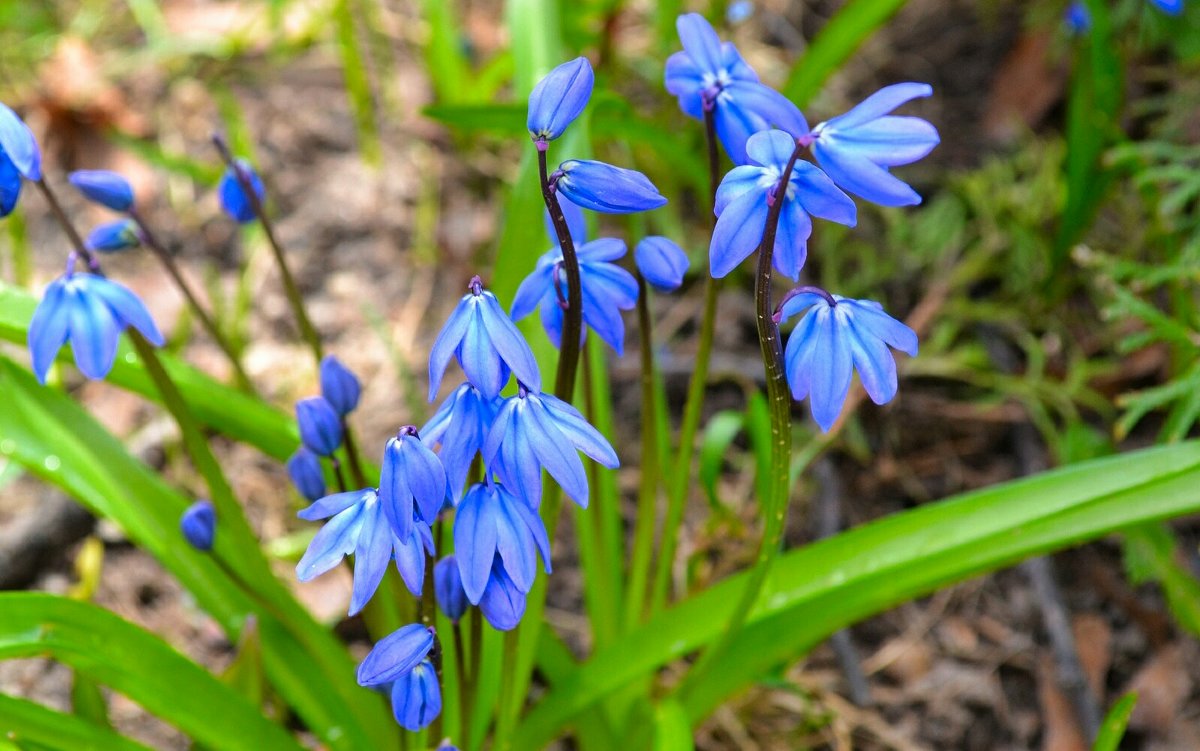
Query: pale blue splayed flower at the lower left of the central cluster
(357, 525)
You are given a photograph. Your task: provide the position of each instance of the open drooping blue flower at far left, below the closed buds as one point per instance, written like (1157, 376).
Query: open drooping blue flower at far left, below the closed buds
(91, 313)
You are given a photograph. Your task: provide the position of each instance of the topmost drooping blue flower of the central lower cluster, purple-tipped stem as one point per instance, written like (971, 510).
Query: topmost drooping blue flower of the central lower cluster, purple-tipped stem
(487, 344)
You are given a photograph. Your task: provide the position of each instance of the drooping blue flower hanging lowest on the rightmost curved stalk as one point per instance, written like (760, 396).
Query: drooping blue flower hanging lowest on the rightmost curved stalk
(835, 338)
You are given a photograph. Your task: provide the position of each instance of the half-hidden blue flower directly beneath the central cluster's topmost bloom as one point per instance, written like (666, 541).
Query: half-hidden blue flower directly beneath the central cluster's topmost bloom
(460, 426)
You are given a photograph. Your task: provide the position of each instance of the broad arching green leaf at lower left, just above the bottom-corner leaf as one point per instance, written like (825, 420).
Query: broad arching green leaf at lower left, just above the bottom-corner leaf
(137, 664)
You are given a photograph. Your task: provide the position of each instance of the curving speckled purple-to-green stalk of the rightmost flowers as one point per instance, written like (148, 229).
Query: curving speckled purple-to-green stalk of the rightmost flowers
(779, 401)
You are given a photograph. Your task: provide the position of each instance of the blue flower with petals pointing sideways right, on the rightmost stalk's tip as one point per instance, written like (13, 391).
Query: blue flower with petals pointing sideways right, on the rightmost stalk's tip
(857, 149)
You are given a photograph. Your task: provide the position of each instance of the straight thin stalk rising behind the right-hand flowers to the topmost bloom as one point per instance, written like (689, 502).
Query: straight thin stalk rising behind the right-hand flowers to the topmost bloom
(681, 477)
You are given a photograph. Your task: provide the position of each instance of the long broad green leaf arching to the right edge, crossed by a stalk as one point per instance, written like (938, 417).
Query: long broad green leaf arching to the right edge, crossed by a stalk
(830, 585)
